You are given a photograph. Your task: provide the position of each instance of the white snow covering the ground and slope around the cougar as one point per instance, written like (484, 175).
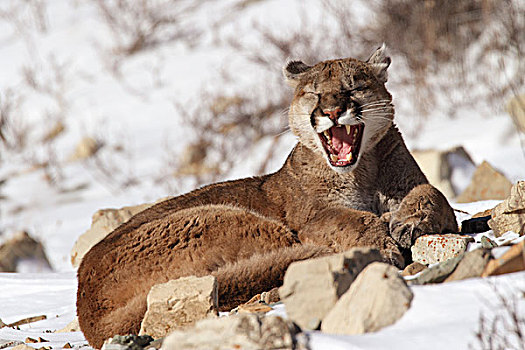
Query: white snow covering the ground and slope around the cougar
(64, 70)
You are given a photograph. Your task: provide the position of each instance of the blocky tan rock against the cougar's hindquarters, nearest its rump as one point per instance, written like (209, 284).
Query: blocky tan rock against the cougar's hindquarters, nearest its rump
(179, 303)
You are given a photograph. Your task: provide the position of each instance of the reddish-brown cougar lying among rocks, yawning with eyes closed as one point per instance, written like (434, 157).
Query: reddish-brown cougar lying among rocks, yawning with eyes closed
(350, 181)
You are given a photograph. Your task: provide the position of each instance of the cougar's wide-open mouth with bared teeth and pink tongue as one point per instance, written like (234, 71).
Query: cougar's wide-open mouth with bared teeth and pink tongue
(341, 143)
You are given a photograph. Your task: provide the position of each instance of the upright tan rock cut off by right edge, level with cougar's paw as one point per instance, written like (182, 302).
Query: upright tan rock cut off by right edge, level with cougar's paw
(510, 214)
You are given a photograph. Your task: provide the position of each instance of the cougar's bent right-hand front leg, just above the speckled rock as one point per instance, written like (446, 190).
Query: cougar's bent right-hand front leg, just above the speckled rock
(424, 210)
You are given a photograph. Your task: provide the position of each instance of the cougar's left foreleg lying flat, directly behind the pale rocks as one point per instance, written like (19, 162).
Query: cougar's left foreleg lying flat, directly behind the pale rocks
(342, 228)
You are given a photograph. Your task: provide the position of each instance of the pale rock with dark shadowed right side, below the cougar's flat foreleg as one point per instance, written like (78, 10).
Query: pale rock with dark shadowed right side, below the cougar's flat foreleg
(311, 287)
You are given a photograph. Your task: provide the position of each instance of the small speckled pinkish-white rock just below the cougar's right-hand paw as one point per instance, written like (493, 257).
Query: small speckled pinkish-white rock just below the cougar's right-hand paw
(431, 249)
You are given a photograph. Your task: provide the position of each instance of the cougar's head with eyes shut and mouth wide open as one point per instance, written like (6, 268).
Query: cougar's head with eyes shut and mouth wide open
(341, 108)
